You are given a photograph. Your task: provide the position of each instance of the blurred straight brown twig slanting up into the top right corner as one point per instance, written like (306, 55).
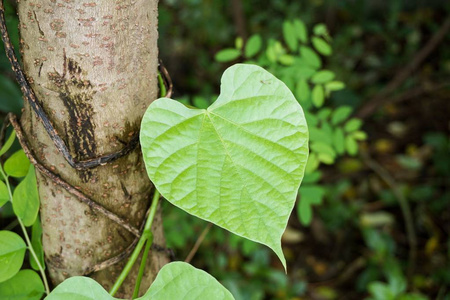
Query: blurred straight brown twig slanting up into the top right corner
(381, 98)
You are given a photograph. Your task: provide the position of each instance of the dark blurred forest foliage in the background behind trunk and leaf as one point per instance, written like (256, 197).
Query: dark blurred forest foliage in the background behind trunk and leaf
(373, 213)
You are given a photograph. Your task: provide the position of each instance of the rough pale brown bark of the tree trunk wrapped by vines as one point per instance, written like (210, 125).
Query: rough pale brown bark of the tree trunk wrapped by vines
(93, 67)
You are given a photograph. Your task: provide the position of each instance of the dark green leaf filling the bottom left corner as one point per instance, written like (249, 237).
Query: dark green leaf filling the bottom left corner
(25, 285)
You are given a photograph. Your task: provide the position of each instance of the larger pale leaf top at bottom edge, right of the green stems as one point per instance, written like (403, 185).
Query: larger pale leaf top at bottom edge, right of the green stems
(179, 280)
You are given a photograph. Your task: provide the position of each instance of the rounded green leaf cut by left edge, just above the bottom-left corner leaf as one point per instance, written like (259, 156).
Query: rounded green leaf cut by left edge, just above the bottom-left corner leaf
(12, 252)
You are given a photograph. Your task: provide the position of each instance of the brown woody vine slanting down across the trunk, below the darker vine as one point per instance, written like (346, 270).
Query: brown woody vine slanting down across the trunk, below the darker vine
(55, 178)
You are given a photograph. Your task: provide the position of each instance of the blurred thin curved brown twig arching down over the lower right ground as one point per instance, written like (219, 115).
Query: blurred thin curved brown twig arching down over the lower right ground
(404, 206)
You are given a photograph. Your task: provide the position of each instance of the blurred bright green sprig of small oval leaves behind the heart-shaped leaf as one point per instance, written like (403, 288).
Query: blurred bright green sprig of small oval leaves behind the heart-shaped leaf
(297, 61)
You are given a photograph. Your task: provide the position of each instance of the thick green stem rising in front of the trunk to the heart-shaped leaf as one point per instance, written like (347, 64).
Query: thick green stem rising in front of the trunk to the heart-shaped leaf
(146, 236)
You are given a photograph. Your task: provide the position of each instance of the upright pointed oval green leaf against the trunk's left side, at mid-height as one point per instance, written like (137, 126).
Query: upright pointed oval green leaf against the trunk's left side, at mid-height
(26, 199)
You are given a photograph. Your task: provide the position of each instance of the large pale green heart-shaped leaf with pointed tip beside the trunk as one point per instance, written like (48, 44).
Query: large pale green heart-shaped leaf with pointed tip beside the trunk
(237, 164)
